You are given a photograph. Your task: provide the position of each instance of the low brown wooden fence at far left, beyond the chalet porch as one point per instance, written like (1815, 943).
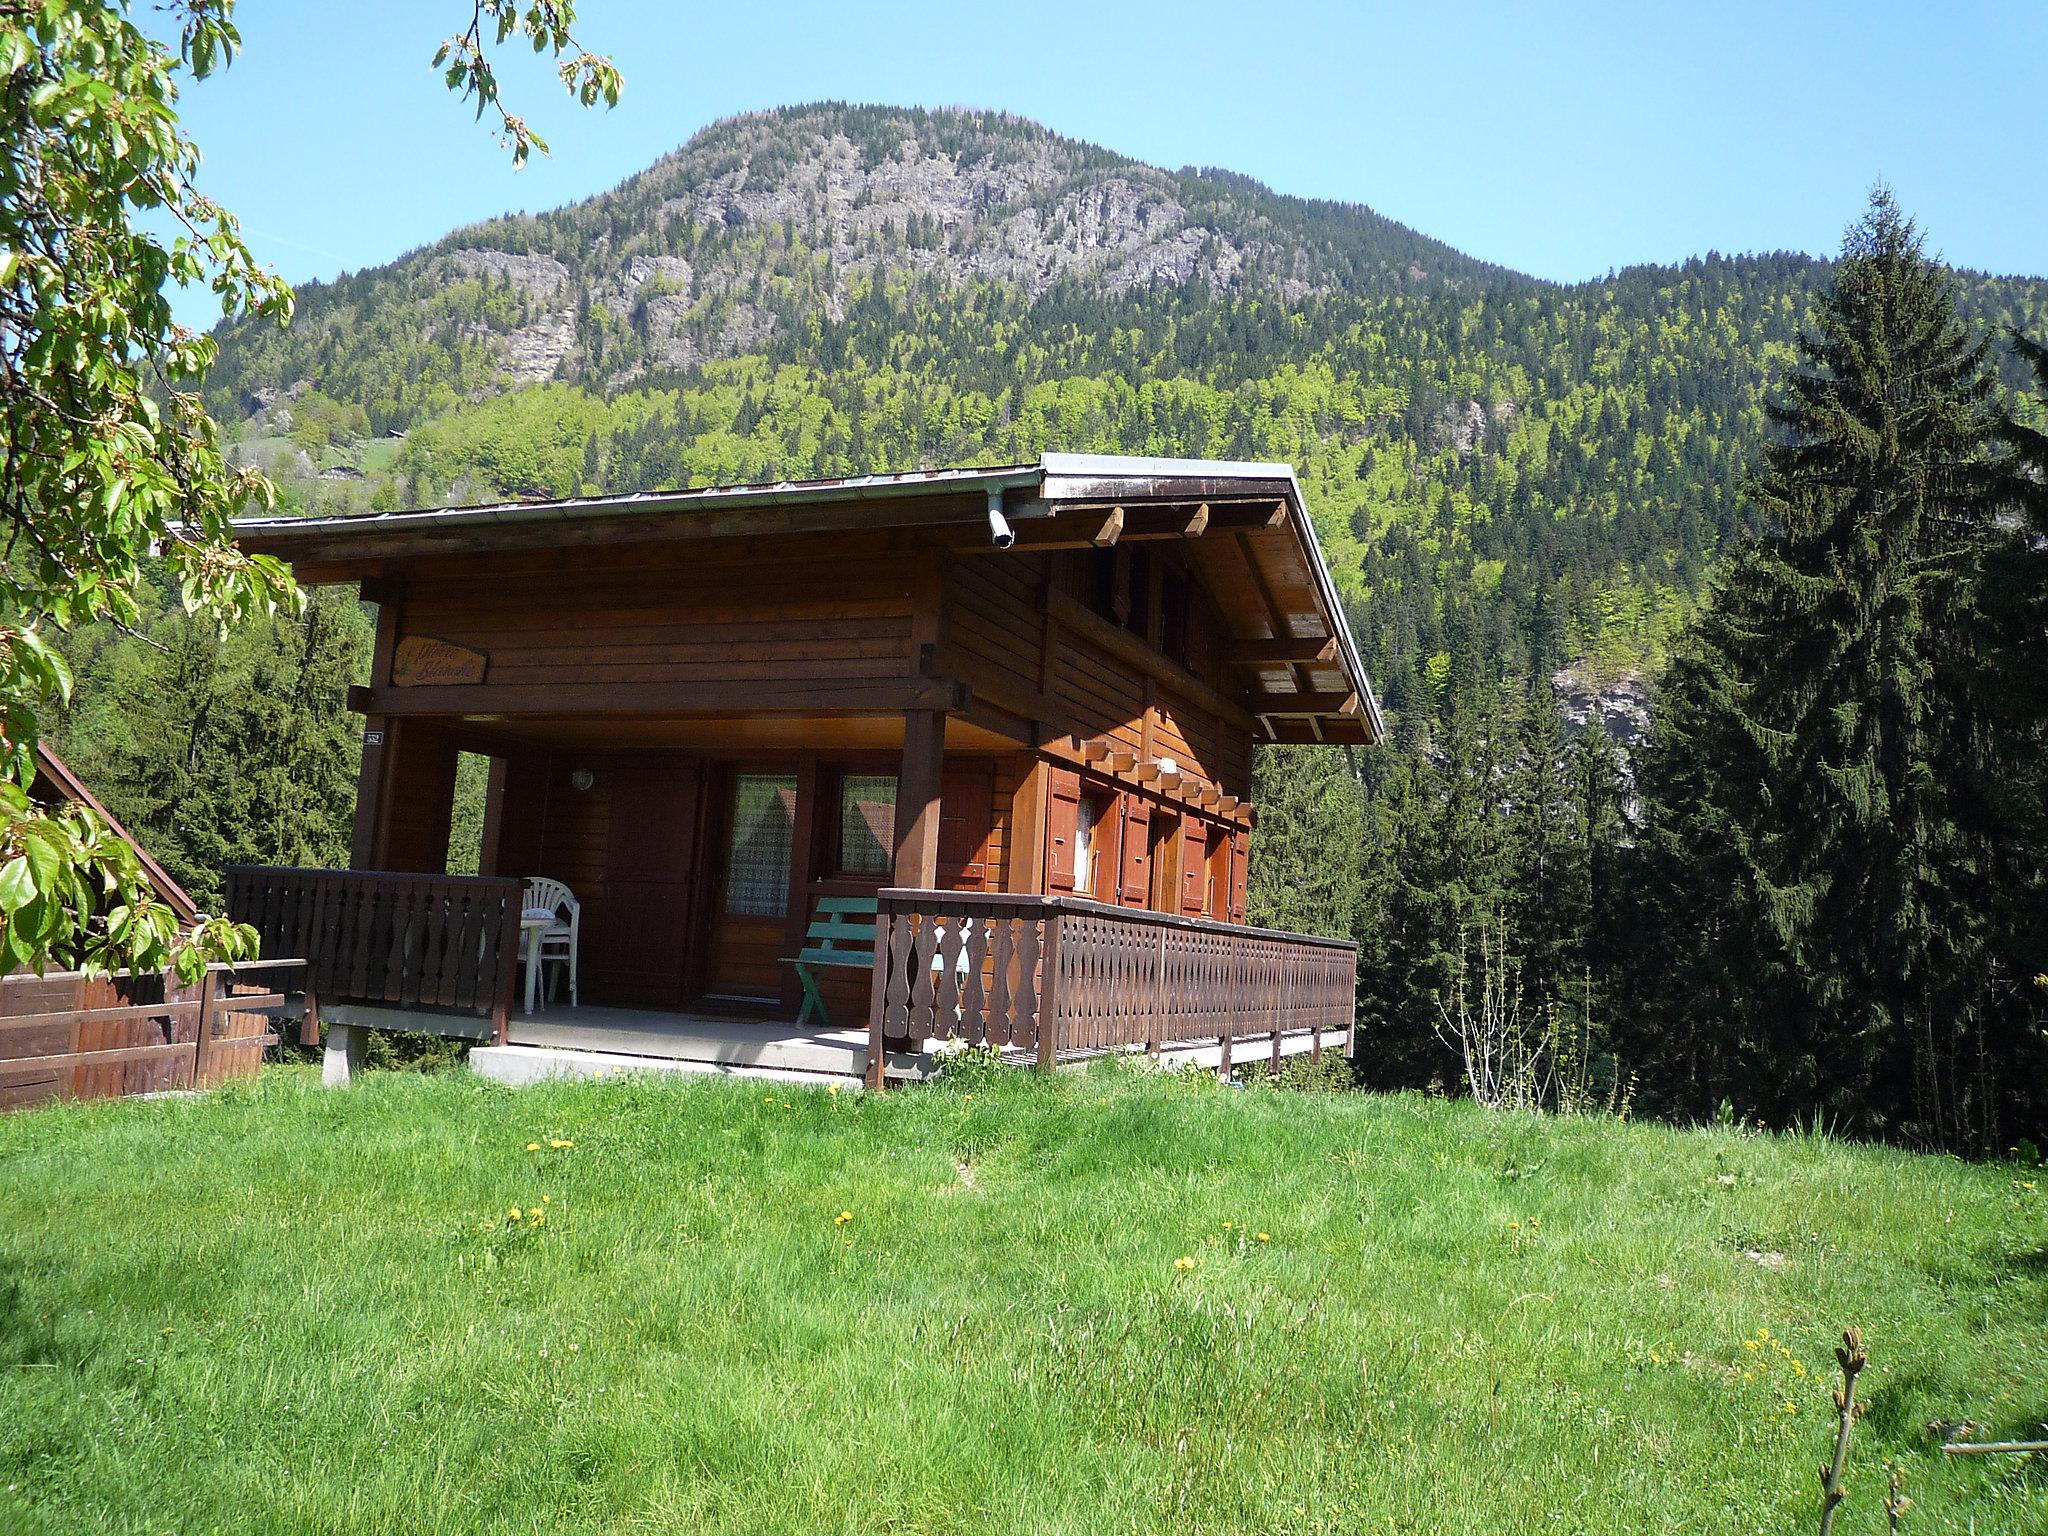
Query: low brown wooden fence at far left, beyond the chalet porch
(71, 1035)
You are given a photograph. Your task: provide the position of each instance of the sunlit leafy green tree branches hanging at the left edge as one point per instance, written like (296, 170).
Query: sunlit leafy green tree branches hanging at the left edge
(110, 462)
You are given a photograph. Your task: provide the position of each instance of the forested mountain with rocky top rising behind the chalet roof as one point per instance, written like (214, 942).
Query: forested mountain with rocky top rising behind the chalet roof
(1510, 476)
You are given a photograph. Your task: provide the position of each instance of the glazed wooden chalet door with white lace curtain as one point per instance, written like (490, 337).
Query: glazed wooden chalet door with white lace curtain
(751, 902)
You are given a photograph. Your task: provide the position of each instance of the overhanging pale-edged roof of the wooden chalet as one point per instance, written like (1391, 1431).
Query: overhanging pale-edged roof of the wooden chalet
(1261, 554)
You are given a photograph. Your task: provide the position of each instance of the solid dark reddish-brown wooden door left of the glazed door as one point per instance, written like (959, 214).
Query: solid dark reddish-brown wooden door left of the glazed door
(640, 933)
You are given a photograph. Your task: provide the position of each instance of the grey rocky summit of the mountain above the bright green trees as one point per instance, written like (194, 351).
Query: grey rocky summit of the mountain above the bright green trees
(765, 222)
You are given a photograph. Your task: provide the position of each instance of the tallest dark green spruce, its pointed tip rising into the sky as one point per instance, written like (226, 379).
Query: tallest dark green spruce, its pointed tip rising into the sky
(1840, 724)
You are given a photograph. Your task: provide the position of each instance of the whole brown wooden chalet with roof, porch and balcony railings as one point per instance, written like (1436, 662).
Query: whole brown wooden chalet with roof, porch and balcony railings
(1011, 708)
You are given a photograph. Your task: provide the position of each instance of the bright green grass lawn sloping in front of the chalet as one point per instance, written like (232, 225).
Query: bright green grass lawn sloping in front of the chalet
(1084, 1306)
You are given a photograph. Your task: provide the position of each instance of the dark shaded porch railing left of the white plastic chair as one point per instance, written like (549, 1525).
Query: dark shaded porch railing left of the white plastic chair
(417, 943)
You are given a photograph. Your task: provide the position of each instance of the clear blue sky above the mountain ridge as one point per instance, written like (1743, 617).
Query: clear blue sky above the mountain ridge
(1555, 138)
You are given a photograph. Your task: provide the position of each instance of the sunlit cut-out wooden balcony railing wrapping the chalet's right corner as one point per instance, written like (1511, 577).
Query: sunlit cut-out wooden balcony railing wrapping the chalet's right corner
(1058, 976)
